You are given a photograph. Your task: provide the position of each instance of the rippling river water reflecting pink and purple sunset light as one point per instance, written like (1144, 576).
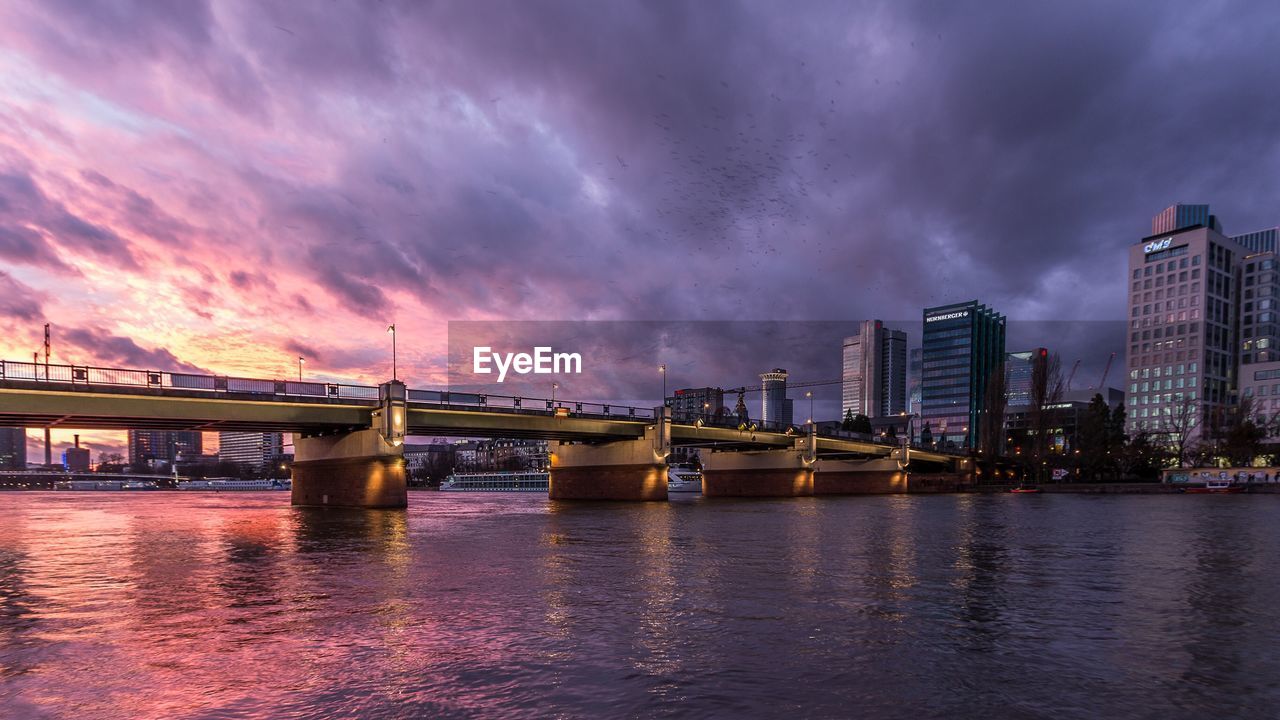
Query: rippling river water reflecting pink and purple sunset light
(189, 605)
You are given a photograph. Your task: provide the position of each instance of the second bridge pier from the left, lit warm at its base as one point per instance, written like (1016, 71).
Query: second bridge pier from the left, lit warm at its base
(627, 470)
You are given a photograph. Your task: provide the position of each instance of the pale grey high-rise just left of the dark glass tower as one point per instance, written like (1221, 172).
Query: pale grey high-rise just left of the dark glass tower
(875, 372)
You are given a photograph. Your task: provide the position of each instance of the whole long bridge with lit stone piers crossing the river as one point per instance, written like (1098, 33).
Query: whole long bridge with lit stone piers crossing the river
(349, 439)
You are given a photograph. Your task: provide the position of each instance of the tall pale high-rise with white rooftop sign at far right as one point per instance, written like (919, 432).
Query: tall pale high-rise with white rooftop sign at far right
(1185, 298)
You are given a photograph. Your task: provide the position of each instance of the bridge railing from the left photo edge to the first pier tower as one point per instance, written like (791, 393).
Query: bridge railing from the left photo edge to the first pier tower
(93, 376)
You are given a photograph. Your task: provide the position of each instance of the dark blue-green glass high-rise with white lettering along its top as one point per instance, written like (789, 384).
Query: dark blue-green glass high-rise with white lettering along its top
(963, 347)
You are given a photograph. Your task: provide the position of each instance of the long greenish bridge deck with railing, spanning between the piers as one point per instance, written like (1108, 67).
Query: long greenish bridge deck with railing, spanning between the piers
(319, 408)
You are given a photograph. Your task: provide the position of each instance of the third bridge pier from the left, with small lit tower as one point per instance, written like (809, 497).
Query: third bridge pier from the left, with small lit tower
(766, 473)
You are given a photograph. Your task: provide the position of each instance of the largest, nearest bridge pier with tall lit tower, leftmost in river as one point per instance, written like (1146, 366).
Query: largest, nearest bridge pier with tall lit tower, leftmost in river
(356, 470)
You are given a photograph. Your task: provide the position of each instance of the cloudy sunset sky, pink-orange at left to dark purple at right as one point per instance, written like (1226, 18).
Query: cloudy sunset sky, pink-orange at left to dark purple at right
(222, 188)
